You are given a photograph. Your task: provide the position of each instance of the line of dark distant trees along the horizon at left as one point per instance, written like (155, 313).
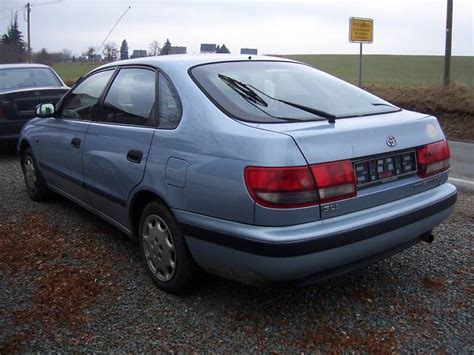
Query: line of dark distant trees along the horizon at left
(13, 49)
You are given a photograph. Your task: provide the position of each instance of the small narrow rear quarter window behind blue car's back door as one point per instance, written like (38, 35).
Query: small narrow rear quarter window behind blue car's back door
(169, 107)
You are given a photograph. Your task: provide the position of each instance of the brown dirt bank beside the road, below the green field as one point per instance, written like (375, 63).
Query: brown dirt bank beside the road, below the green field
(452, 105)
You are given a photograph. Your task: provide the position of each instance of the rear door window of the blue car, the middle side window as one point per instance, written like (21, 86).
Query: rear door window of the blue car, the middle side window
(131, 98)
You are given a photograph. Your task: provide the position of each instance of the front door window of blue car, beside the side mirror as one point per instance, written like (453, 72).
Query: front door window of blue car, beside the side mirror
(83, 101)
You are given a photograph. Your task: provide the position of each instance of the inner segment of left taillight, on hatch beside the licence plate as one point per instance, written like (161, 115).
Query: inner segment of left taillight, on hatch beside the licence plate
(335, 180)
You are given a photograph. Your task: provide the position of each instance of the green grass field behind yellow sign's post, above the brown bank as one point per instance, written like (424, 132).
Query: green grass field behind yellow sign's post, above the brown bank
(393, 69)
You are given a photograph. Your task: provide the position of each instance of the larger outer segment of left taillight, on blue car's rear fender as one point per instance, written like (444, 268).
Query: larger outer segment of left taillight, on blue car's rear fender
(281, 187)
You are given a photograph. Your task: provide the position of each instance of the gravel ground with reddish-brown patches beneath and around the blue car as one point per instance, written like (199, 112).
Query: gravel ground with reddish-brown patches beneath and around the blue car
(70, 282)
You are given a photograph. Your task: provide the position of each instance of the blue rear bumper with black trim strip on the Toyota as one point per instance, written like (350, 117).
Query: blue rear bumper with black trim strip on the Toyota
(313, 251)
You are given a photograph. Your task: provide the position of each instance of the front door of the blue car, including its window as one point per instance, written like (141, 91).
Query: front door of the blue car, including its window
(60, 141)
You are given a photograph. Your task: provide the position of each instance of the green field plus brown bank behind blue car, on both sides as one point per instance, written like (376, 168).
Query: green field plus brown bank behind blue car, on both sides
(411, 82)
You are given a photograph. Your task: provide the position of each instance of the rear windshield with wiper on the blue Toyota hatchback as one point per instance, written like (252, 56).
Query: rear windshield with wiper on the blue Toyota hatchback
(272, 91)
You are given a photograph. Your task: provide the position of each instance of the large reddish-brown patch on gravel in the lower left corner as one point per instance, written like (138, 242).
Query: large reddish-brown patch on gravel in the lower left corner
(62, 292)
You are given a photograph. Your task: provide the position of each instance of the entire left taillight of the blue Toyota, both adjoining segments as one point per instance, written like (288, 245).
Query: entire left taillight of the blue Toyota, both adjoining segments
(291, 187)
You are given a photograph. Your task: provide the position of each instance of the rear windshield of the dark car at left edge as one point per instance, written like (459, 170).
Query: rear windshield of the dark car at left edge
(22, 78)
